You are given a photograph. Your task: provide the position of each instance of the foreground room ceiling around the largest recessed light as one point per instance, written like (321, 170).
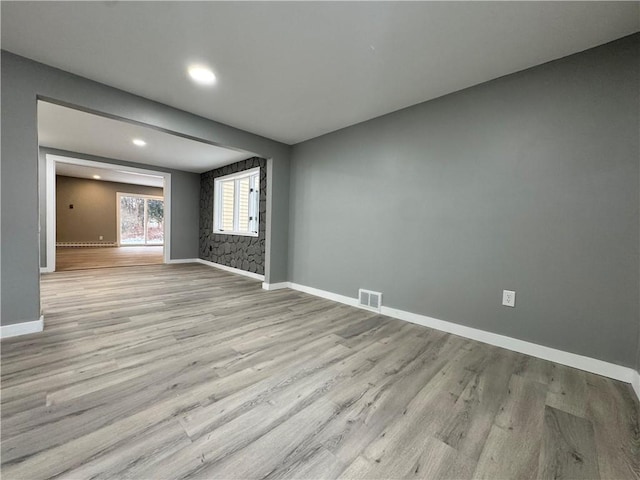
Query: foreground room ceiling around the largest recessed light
(295, 70)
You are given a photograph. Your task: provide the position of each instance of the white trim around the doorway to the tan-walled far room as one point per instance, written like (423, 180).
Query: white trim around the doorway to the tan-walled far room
(52, 160)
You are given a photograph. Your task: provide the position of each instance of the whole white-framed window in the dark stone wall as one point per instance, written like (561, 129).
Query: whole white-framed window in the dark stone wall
(236, 203)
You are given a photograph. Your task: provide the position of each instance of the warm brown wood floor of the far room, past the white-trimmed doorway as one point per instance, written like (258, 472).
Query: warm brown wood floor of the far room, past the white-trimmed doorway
(74, 258)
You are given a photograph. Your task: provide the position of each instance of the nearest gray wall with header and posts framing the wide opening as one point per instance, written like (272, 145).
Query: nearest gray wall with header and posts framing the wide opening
(23, 81)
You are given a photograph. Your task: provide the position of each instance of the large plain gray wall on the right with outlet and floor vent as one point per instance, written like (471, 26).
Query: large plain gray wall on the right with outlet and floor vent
(527, 183)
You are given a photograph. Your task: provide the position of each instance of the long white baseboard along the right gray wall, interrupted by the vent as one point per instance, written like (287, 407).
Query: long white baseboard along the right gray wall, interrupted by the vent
(574, 360)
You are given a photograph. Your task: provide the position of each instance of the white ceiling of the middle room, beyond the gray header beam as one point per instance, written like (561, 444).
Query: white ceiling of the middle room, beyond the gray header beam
(75, 131)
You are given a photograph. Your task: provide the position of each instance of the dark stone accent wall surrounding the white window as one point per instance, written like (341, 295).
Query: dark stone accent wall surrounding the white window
(245, 253)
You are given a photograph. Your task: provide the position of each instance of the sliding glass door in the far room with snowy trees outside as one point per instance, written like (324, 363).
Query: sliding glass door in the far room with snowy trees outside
(140, 219)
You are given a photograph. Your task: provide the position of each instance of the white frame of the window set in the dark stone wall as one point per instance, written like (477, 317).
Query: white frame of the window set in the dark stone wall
(254, 206)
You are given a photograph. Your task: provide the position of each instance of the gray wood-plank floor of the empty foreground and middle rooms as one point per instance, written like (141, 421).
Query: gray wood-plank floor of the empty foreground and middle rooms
(185, 371)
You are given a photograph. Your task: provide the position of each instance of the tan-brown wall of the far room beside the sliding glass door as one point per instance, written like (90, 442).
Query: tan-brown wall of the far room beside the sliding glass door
(94, 213)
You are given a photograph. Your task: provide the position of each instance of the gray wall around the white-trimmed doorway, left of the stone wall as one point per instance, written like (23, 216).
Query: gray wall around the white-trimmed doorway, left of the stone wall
(185, 191)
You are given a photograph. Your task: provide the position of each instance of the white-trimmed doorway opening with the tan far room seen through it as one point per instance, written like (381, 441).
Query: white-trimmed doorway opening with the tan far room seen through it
(103, 215)
